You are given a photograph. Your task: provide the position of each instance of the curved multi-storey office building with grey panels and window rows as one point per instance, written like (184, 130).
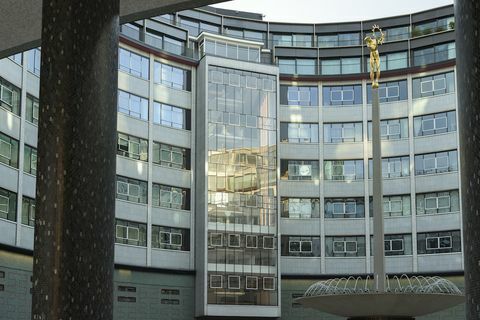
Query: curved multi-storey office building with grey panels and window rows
(243, 162)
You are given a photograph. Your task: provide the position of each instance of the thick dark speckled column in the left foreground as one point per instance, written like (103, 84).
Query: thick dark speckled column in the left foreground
(74, 228)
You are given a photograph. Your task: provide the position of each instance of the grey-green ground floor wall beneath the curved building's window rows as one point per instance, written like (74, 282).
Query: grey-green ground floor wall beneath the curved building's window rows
(146, 295)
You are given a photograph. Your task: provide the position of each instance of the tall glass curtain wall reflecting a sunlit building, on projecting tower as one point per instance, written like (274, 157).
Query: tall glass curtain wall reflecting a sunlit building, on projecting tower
(242, 188)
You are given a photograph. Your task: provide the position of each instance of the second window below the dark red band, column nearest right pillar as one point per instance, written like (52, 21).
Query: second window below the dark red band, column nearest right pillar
(435, 123)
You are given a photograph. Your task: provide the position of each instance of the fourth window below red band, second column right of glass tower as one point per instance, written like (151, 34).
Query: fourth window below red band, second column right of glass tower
(344, 208)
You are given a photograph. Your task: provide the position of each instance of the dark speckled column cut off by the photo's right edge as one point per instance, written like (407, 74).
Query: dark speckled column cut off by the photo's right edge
(467, 22)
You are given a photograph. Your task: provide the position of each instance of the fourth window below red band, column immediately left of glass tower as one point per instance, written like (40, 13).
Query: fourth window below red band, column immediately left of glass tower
(170, 197)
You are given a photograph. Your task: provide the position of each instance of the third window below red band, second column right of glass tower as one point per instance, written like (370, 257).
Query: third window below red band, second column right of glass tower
(343, 170)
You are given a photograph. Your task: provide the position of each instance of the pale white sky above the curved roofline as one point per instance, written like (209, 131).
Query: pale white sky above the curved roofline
(310, 11)
